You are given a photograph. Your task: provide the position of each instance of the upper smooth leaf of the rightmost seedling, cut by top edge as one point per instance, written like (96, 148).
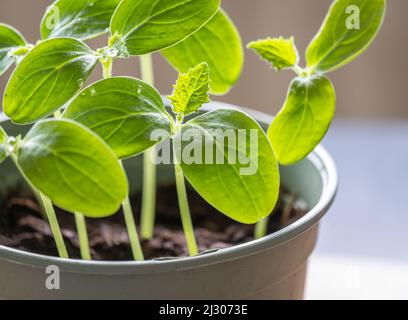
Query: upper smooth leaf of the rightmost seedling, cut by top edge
(337, 42)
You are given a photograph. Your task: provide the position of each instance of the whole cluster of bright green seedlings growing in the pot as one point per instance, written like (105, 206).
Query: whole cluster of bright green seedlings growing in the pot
(72, 155)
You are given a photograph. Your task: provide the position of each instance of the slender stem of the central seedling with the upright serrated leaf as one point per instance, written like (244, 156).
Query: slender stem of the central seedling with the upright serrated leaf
(185, 211)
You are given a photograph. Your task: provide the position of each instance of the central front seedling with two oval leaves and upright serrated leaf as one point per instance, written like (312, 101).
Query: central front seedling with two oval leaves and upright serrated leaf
(127, 113)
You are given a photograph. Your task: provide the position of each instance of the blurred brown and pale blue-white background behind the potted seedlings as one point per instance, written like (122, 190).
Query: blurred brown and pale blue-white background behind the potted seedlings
(363, 246)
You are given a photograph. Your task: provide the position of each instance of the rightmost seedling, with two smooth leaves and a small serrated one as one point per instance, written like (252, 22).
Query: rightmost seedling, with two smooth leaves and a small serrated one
(348, 30)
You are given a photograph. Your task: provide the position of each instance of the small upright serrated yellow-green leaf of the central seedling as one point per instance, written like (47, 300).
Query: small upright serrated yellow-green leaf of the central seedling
(191, 90)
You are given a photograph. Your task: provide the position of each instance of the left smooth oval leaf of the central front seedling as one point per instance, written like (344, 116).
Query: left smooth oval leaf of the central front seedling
(122, 111)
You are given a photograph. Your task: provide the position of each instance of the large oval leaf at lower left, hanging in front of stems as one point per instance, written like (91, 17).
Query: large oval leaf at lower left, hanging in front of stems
(73, 167)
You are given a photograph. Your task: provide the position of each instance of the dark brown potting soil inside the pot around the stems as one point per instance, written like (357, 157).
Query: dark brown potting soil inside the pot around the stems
(22, 227)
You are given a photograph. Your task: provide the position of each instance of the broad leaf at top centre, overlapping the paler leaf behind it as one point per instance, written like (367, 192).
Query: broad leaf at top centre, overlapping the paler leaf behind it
(147, 26)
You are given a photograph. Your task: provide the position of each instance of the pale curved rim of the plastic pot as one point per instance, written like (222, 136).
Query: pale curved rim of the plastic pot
(320, 158)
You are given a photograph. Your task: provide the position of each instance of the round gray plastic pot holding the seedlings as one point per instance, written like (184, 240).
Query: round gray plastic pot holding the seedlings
(270, 268)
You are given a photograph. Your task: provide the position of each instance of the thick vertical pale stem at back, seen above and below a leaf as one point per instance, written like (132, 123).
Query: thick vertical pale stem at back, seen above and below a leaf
(149, 167)
